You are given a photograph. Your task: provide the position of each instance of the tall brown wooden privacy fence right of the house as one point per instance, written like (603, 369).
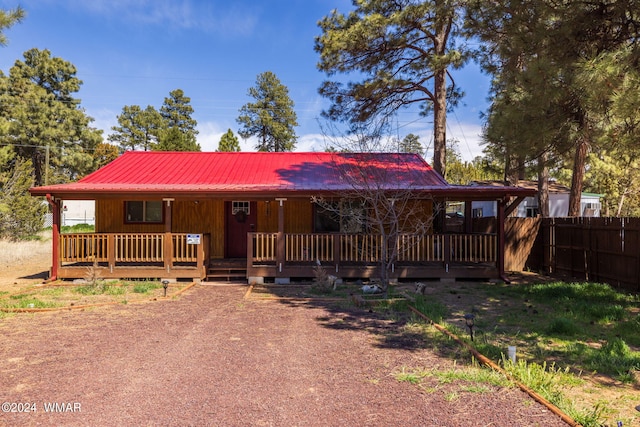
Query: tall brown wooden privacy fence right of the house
(585, 248)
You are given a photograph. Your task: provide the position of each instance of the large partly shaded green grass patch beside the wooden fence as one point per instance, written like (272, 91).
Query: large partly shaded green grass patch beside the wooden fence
(588, 326)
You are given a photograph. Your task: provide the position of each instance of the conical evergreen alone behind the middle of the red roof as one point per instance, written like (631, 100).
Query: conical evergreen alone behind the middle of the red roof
(271, 118)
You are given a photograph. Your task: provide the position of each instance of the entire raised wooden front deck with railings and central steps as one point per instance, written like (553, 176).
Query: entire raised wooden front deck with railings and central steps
(277, 256)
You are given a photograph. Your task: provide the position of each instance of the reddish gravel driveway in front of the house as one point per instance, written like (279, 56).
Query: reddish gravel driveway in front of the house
(214, 358)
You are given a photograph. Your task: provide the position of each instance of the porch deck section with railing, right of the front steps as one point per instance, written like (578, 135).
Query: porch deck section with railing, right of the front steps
(432, 256)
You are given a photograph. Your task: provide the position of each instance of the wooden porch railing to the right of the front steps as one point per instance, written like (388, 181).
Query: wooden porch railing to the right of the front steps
(362, 248)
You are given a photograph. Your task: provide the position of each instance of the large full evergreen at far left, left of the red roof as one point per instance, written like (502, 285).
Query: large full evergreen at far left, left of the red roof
(45, 123)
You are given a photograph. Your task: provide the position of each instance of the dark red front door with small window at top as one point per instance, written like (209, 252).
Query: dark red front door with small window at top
(240, 219)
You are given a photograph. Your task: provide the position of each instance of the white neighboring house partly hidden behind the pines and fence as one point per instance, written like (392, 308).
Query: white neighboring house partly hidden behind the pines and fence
(558, 202)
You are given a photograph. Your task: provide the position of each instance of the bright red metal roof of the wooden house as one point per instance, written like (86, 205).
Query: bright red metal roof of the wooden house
(171, 174)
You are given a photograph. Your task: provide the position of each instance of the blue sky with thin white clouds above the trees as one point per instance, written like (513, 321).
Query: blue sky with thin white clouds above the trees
(134, 52)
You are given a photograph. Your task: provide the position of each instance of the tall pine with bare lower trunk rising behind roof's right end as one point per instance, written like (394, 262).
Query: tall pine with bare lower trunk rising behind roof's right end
(402, 50)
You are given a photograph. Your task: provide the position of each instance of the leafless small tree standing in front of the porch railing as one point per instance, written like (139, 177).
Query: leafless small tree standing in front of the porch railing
(384, 206)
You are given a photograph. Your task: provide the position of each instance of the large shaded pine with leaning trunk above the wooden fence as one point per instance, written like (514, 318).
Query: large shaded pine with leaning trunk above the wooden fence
(542, 54)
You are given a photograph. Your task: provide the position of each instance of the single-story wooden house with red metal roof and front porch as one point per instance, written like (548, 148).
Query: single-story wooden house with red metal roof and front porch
(264, 216)
